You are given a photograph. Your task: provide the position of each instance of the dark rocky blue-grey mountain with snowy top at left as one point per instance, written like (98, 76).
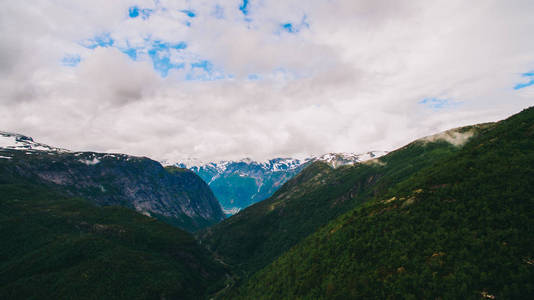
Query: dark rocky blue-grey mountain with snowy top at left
(176, 195)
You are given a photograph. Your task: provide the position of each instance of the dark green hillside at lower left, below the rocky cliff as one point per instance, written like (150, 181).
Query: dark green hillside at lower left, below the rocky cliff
(58, 247)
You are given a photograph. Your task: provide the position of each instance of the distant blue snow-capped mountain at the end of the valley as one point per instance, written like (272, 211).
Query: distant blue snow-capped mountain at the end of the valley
(241, 183)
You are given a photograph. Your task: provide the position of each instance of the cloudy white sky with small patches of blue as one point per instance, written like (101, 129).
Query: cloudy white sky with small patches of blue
(215, 80)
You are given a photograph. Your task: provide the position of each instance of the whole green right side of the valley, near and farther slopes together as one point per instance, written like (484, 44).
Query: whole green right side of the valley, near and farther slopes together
(449, 216)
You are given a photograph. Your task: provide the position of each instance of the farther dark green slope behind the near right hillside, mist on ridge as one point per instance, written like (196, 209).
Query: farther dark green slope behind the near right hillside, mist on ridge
(257, 235)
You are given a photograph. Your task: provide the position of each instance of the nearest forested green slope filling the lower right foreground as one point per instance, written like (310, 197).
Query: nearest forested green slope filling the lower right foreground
(462, 228)
